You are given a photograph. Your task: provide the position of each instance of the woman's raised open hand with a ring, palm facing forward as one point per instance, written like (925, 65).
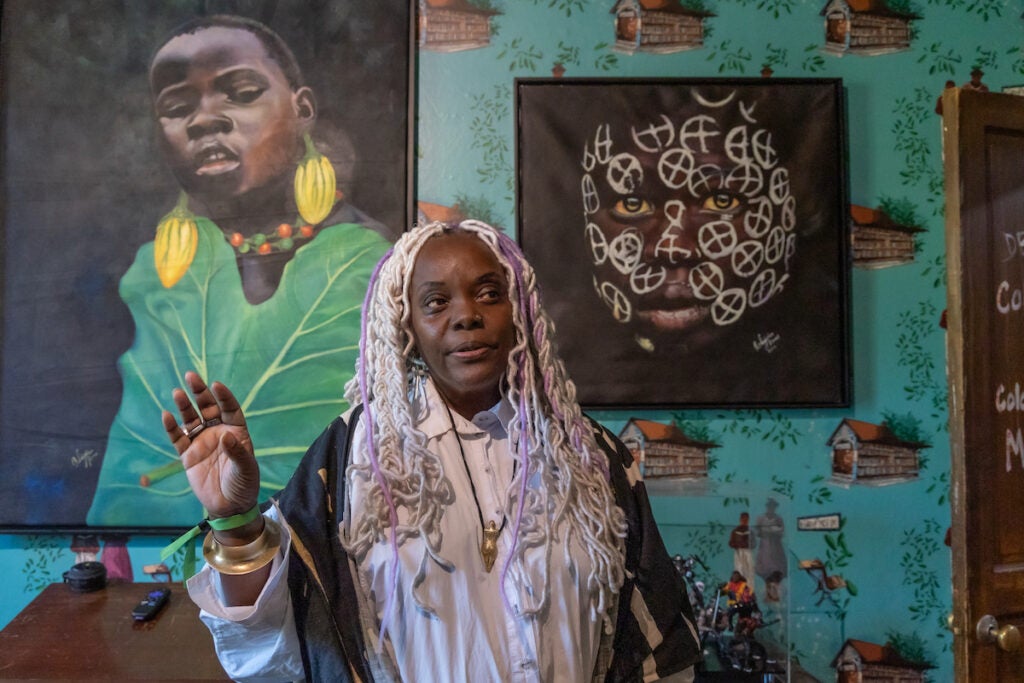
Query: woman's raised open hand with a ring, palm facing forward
(216, 448)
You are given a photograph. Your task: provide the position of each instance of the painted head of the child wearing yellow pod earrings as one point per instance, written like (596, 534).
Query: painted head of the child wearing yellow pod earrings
(231, 121)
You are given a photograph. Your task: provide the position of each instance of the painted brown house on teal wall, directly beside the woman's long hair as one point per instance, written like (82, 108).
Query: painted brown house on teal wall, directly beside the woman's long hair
(664, 451)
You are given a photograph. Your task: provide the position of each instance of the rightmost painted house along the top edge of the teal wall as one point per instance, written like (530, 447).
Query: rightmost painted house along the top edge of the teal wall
(866, 27)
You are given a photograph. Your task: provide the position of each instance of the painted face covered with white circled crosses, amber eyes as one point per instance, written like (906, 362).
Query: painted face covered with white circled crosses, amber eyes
(690, 221)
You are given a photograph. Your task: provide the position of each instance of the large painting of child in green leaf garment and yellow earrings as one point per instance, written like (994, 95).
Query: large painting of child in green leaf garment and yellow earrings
(254, 262)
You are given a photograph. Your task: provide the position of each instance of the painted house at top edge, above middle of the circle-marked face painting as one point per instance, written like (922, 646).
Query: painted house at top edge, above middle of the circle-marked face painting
(658, 26)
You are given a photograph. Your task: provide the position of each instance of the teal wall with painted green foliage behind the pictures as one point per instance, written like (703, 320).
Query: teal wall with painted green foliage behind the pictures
(890, 548)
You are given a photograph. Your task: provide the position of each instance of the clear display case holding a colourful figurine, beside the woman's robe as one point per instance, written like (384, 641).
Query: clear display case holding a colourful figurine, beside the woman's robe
(750, 592)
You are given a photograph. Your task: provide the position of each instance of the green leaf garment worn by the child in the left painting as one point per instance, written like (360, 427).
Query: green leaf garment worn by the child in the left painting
(287, 360)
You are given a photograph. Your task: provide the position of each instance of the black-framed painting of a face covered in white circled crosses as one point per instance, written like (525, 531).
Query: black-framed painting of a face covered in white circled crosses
(602, 206)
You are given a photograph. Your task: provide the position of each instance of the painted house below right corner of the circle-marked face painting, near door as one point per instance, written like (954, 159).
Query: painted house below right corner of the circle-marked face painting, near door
(869, 454)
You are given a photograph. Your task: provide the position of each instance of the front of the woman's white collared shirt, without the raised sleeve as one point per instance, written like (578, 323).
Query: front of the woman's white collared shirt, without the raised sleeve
(473, 636)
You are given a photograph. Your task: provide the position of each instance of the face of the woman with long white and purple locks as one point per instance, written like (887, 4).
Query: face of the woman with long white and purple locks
(462, 320)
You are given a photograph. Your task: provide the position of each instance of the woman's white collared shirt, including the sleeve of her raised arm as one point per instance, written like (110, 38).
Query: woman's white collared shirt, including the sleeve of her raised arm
(471, 636)
